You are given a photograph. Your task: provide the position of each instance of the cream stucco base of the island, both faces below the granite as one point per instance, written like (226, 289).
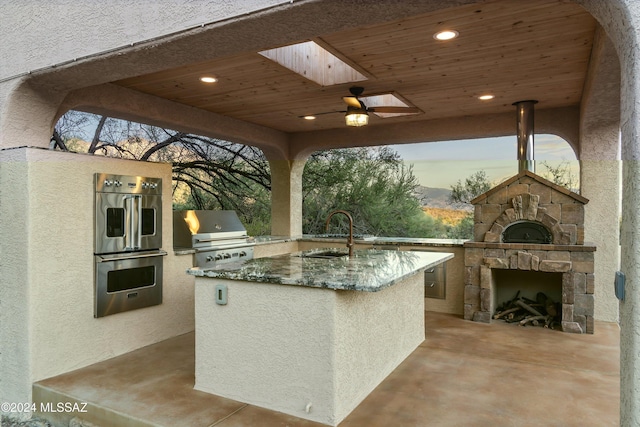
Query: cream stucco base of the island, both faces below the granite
(310, 352)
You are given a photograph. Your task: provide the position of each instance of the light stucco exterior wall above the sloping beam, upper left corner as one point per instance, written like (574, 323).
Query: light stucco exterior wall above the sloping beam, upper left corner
(87, 27)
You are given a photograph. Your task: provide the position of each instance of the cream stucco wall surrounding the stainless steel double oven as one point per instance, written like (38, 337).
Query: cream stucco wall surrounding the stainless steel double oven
(50, 276)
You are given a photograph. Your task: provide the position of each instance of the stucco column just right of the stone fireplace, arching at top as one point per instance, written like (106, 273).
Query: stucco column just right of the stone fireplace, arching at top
(600, 169)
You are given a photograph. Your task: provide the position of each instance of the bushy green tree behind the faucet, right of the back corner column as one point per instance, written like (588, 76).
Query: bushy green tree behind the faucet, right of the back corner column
(370, 183)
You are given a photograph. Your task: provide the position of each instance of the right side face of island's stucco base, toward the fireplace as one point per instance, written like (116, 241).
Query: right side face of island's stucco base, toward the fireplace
(369, 346)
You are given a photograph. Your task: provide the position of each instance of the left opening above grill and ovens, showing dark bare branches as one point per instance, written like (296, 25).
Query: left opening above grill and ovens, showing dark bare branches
(208, 173)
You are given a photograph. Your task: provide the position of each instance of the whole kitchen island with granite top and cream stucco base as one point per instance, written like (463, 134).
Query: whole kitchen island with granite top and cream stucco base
(308, 334)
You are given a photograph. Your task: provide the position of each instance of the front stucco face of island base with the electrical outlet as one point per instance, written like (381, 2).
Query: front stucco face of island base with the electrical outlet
(238, 345)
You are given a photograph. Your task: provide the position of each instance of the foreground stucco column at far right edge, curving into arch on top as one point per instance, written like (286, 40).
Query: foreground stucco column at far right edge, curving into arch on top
(621, 20)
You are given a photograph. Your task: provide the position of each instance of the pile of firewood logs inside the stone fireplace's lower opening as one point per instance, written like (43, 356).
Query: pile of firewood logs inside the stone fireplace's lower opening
(524, 311)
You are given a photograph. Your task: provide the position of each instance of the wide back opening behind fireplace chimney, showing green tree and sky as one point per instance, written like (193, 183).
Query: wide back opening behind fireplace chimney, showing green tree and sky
(431, 173)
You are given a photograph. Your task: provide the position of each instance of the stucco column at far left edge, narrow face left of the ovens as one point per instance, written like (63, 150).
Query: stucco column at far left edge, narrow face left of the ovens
(26, 117)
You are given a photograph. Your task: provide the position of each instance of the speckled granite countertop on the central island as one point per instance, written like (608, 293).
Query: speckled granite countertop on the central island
(369, 270)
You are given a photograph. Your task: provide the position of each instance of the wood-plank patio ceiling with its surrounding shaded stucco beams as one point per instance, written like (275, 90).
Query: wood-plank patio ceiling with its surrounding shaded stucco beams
(542, 50)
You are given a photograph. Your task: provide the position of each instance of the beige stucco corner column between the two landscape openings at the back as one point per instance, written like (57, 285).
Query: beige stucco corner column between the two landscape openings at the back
(286, 197)
